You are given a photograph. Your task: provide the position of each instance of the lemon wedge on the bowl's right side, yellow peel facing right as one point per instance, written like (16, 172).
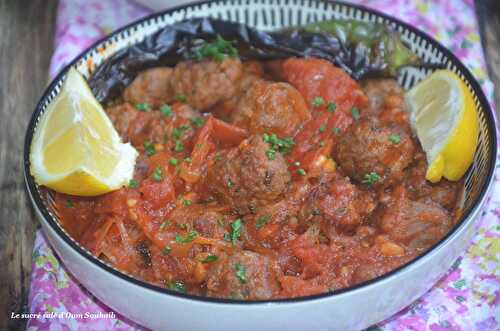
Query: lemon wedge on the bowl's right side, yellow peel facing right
(444, 117)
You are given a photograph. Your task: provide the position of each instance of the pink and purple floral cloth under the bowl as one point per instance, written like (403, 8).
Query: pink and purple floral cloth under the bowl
(466, 298)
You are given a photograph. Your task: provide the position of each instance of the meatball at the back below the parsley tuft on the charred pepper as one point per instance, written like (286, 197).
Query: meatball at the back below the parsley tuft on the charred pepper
(206, 83)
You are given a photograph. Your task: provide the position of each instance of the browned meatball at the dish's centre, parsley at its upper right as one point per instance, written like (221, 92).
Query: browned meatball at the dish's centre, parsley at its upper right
(245, 177)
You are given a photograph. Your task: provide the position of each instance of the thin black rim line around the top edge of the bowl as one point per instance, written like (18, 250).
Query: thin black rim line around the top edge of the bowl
(32, 188)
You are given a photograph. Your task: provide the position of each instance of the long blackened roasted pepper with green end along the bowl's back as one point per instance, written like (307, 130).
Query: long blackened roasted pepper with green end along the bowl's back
(358, 48)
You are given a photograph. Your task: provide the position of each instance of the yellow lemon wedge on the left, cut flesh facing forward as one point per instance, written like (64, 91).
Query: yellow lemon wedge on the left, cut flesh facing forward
(75, 149)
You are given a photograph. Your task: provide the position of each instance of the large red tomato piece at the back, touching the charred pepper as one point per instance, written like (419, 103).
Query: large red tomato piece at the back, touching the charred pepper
(319, 78)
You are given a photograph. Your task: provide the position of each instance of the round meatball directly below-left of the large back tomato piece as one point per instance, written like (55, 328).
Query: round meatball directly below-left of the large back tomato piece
(271, 107)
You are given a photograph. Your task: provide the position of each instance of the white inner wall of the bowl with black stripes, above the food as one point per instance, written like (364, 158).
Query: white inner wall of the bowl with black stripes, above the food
(272, 15)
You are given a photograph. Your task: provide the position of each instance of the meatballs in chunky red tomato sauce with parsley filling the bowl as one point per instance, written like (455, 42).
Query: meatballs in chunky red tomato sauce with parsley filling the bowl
(224, 208)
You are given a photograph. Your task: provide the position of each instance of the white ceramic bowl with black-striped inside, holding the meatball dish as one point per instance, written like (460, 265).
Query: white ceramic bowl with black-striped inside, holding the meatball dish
(348, 309)
